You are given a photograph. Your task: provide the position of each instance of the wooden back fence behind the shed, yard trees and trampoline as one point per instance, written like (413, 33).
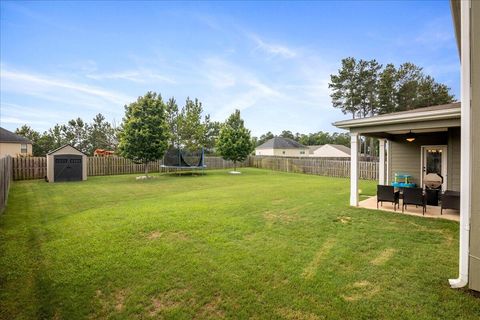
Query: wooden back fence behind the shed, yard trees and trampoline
(36, 167)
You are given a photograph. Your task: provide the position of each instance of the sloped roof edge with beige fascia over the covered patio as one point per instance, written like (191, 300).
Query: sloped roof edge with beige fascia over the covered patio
(440, 112)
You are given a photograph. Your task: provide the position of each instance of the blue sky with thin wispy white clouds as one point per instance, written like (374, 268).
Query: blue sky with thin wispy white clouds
(271, 60)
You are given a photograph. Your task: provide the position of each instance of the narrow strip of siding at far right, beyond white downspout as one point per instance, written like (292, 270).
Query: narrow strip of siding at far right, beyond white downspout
(474, 282)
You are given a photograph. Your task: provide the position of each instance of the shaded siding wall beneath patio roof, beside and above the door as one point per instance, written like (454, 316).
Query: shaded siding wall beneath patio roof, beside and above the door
(405, 157)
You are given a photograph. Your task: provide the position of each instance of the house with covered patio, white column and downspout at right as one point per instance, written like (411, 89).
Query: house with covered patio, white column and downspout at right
(429, 139)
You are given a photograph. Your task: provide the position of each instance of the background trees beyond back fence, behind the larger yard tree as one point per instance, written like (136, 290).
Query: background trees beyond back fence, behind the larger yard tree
(187, 128)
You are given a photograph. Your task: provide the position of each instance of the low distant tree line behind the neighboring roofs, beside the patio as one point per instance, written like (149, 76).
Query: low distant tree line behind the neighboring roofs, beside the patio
(309, 139)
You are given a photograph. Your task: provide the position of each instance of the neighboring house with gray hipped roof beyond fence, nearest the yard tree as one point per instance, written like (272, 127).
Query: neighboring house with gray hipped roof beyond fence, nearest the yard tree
(283, 147)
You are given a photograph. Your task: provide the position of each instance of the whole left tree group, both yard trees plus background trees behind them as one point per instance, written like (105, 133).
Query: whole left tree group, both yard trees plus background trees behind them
(150, 126)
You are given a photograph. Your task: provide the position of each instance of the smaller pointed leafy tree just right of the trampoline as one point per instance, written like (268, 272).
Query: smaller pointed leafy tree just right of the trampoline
(234, 142)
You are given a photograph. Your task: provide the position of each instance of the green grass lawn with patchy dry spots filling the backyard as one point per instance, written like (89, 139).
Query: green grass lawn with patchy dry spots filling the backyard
(261, 245)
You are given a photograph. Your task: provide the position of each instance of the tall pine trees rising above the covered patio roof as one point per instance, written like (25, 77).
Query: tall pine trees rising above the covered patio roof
(365, 88)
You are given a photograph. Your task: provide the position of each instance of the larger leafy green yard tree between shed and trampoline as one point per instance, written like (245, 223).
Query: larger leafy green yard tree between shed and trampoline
(145, 134)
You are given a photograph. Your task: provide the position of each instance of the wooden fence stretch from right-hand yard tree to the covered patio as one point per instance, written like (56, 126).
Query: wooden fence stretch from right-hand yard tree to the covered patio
(323, 167)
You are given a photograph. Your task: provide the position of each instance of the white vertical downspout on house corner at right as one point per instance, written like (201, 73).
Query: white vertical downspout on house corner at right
(465, 170)
